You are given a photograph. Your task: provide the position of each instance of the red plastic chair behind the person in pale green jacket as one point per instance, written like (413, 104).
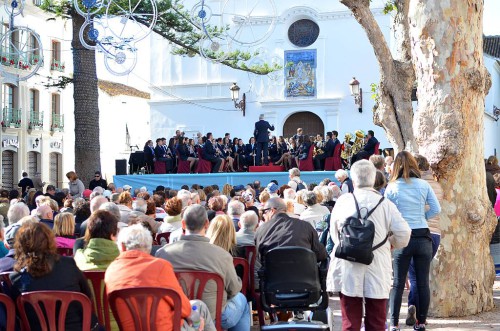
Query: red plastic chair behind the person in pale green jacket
(100, 305)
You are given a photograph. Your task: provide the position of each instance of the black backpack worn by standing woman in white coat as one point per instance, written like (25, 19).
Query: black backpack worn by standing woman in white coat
(356, 238)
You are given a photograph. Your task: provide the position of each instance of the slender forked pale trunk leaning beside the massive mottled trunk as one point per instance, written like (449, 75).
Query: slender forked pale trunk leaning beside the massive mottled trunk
(394, 111)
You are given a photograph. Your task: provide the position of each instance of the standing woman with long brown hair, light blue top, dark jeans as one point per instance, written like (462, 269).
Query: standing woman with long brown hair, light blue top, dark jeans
(411, 195)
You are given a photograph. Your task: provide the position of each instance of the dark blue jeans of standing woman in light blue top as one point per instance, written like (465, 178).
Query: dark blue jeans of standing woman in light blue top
(420, 250)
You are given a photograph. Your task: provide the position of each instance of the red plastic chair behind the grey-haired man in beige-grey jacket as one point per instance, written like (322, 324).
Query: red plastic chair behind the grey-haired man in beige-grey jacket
(193, 283)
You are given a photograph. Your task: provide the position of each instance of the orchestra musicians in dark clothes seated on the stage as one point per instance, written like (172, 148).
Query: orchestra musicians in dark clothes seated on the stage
(237, 154)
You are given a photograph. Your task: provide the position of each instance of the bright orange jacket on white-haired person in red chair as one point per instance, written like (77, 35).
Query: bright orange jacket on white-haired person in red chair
(137, 269)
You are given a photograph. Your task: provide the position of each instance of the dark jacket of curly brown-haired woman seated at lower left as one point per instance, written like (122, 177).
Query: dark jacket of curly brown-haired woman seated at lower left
(65, 276)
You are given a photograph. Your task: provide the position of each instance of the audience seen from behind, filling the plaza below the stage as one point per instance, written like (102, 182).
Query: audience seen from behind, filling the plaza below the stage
(128, 233)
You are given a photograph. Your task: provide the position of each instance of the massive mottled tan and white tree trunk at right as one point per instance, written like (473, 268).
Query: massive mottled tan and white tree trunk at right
(447, 55)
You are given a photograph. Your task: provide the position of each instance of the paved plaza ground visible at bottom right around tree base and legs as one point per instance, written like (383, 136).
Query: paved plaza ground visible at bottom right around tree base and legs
(489, 321)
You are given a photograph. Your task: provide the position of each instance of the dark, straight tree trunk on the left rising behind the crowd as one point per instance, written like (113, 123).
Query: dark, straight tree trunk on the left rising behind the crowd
(85, 94)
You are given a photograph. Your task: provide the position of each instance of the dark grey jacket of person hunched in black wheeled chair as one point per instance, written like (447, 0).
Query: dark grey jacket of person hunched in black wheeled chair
(283, 230)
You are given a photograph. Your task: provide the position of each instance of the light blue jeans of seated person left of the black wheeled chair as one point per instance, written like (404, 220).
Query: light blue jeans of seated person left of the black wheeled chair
(236, 315)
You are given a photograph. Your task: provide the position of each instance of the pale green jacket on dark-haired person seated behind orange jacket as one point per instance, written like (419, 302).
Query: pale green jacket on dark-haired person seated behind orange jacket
(98, 254)
